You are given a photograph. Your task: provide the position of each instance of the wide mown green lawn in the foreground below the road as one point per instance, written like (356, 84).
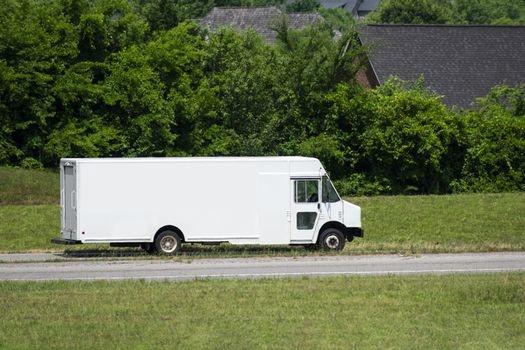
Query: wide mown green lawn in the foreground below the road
(416, 312)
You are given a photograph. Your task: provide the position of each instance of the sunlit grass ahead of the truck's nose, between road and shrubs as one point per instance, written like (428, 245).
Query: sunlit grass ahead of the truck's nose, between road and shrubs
(449, 223)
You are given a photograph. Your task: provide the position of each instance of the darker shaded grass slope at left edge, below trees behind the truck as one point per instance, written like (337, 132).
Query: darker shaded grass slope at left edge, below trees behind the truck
(22, 186)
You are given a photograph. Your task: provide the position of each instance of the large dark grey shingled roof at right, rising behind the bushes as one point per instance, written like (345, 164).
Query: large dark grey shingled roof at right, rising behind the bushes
(459, 62)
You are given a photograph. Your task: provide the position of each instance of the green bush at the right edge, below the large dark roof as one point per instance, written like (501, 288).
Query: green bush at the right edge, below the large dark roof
(495, 159)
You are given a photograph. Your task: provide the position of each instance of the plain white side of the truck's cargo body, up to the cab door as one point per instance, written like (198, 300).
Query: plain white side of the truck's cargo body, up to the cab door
(207, 201)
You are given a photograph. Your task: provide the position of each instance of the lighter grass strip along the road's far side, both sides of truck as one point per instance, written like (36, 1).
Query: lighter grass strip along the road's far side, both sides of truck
(400, 224)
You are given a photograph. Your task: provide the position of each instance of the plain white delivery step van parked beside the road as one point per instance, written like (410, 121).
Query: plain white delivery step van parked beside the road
(161, 203)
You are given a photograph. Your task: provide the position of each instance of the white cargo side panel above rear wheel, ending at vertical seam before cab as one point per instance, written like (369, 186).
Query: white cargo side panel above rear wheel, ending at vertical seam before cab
(133, 201)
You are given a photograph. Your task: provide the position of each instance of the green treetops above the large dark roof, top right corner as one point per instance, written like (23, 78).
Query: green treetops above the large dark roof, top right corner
(449, 11)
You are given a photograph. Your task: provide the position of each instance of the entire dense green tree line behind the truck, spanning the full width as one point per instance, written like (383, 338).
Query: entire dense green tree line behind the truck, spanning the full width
(124, 79)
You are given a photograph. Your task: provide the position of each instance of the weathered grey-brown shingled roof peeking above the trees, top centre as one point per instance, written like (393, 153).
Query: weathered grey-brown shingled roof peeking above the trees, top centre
(257, 18)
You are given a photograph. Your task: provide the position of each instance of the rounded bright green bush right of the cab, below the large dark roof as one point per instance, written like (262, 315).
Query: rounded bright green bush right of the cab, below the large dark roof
(409, 139)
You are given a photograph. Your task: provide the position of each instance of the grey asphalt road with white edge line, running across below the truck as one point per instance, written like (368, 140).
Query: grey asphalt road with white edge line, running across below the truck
(264, 267)
